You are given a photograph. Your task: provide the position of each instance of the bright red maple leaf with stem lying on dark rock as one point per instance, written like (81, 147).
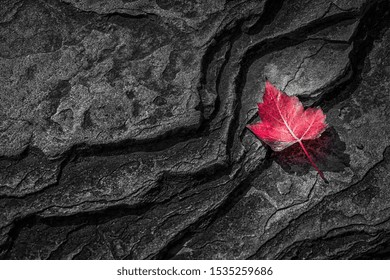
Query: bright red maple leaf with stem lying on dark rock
(285, 122)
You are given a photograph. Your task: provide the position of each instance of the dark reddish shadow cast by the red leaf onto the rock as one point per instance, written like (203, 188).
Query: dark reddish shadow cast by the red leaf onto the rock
(327, 151)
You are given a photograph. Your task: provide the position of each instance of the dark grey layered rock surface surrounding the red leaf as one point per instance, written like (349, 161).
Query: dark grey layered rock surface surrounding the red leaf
(122, 129)
